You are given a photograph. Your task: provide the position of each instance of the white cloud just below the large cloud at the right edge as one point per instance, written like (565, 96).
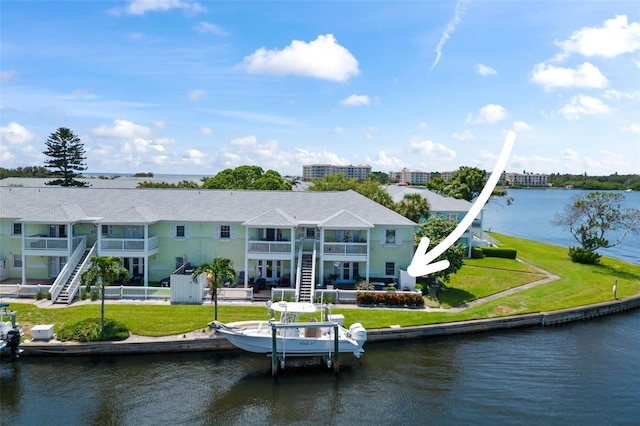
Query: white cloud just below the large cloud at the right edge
(585, 76)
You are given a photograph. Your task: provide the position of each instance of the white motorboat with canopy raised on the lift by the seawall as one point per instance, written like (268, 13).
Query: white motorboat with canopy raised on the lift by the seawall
(292, 337)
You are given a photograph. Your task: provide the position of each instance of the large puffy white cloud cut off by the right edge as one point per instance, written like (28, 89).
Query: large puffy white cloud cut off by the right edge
(614, 38)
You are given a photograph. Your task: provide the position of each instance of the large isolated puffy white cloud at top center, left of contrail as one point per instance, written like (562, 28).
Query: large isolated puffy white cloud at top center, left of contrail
(321, 58)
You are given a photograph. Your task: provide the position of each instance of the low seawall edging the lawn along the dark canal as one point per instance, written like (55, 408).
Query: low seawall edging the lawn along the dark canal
(197, 342)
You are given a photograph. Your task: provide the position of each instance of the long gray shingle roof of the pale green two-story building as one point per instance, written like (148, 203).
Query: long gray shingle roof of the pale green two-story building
(32, 204)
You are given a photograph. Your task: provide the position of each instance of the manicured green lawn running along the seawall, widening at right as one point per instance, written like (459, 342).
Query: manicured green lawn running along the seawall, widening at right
(578, 285)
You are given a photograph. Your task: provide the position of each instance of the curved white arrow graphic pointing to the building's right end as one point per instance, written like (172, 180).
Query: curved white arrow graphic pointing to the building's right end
(421, 263)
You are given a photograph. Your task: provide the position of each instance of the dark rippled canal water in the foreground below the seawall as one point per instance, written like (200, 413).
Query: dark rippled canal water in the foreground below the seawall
(580, 373)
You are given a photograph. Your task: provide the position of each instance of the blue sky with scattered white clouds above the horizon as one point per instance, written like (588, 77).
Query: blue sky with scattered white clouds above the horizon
(185, 87)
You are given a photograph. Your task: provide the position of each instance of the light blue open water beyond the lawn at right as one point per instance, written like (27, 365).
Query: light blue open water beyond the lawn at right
(533, 211)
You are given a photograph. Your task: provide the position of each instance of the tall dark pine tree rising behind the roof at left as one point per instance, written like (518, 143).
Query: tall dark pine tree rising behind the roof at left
(67, 157)
